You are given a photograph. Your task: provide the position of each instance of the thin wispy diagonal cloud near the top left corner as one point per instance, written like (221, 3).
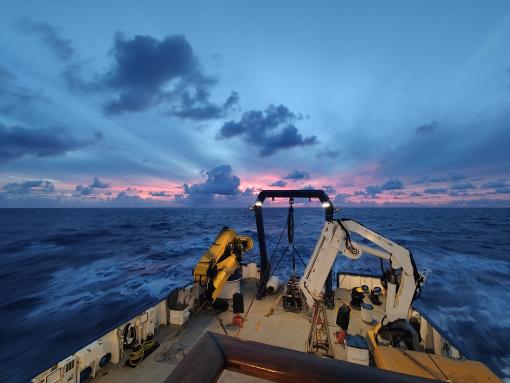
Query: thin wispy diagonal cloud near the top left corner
(61, 47)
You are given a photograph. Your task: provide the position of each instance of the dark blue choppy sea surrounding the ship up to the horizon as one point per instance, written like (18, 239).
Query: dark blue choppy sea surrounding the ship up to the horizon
(66, 275)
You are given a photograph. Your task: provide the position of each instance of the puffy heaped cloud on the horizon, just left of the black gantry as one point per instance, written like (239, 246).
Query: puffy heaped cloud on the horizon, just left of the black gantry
(219, 181)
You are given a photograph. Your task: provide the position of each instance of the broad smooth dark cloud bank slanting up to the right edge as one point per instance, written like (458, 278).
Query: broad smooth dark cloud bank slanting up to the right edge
(478, 144)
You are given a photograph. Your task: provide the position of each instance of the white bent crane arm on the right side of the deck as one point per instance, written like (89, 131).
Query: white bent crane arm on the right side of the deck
(336, 238)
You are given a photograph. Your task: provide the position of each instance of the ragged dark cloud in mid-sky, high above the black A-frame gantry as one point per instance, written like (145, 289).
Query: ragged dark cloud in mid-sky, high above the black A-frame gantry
(270, 130)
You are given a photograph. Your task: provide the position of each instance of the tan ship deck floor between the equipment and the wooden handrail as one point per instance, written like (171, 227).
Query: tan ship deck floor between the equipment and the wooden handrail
(284, 329)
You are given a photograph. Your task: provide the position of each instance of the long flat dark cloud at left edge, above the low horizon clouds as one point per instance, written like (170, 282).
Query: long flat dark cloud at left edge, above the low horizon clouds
(18, 141)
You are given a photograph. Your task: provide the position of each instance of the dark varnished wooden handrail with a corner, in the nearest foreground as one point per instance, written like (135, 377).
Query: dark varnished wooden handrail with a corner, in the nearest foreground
(214, 353)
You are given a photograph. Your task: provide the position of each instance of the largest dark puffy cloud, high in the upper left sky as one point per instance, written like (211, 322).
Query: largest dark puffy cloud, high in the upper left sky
(147, 72)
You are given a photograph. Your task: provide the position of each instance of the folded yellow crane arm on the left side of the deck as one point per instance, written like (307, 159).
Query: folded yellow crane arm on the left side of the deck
(220, 261)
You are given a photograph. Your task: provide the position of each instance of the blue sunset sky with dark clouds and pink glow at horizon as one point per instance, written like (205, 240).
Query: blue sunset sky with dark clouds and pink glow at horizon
(201, 103)
